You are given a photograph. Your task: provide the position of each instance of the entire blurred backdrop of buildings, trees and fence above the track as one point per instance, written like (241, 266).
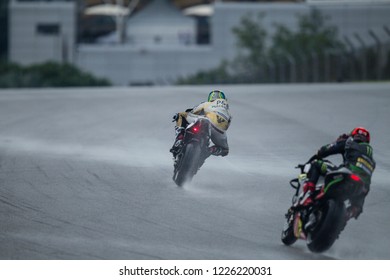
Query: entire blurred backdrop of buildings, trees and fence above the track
(164, 42)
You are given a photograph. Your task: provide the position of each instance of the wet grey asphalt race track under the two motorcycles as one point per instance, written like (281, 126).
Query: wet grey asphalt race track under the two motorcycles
(86, 173)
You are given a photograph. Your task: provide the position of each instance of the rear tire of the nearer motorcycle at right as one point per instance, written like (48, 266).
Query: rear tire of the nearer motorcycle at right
(327, 231)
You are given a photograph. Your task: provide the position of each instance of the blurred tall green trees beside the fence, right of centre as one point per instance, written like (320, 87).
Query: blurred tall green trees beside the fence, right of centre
(257, 59)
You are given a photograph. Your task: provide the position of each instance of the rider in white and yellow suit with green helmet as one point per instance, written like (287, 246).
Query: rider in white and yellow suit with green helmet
(216, 109)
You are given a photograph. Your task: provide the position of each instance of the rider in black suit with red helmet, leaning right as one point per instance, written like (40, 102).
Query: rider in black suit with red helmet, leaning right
(357, 156)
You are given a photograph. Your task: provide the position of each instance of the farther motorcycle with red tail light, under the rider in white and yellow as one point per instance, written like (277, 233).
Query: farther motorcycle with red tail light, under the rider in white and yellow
(194, 151)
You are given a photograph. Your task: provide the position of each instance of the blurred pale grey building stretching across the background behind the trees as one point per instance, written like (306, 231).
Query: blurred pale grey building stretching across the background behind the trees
(46, 30)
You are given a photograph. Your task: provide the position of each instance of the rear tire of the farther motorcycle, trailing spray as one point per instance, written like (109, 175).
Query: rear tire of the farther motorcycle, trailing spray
(188, 164)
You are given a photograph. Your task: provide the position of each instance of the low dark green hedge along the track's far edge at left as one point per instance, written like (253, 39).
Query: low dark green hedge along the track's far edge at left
(48, 74)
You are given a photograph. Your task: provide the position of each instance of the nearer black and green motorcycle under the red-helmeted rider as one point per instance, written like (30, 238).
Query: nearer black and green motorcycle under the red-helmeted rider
(321, 223)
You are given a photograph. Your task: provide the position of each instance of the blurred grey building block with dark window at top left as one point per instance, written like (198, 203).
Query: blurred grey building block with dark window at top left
(42, 31)
